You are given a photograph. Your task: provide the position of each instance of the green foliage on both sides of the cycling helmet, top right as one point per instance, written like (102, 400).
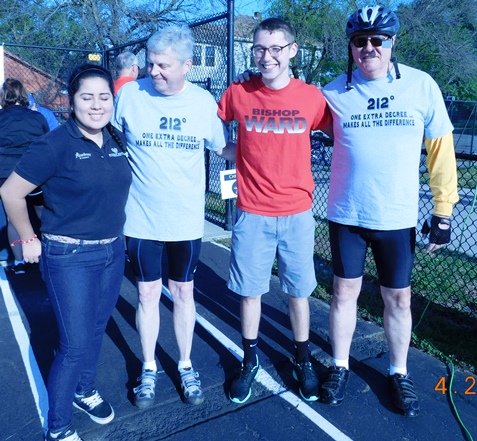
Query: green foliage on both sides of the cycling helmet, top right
(437, 37)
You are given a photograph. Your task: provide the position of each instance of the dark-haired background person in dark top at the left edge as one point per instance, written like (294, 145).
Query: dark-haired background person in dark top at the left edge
(19, 126)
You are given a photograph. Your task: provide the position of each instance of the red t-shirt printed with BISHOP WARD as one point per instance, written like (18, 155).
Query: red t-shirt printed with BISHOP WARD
(273, 145)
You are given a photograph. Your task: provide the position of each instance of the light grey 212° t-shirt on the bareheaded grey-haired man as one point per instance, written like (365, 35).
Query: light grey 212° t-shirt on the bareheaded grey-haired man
(166, 138)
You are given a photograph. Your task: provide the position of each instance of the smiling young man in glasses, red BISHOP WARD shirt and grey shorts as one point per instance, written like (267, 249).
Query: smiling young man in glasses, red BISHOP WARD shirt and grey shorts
(275, 186)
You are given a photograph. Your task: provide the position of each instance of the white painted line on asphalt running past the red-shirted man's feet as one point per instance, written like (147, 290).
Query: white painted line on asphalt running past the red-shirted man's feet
(264, 378)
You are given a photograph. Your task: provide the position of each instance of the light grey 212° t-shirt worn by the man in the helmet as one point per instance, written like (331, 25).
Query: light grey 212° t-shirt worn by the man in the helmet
(379, 127)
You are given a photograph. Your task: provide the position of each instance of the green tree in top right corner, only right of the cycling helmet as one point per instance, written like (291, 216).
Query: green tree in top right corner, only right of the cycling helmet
(440, 38)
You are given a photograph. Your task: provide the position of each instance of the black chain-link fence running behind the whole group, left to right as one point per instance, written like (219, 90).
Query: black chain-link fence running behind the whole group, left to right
(448, 279)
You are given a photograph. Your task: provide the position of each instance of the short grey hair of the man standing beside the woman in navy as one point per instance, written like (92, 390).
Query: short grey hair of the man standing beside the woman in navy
(178, 39)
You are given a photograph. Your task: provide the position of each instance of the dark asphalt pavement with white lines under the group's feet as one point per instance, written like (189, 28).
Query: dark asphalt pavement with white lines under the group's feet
(275, 411)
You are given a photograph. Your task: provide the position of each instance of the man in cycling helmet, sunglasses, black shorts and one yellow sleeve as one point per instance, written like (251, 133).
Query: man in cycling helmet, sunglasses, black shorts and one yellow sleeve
(382, 112)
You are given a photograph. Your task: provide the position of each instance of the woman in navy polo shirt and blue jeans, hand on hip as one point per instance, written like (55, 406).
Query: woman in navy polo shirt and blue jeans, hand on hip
(83, 170)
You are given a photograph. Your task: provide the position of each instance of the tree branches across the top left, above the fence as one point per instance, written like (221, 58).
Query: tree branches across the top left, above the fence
(94, 24)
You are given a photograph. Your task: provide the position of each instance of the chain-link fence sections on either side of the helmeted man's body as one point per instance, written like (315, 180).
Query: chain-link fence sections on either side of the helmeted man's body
(449, 277)
